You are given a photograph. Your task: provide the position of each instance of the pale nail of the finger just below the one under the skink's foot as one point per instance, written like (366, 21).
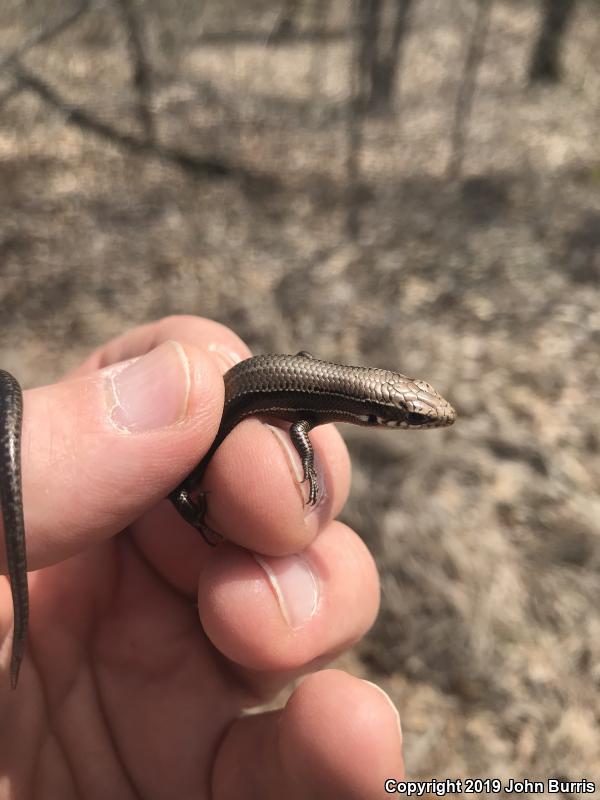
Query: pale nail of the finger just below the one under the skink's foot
(295, 585)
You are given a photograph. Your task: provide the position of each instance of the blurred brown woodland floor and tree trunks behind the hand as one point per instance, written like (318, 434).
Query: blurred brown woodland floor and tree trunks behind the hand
(411, 184)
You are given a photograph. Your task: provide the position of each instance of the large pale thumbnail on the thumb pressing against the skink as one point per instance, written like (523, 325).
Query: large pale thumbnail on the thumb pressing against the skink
(152, 391)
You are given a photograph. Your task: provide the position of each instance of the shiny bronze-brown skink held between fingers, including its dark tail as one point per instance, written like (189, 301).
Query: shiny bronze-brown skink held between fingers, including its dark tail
(299, 389)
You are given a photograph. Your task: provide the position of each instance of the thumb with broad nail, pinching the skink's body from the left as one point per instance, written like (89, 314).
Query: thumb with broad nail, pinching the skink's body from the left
(101, 449)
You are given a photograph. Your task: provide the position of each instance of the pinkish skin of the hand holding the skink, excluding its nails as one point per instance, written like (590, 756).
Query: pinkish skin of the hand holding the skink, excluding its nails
(145, 645)
